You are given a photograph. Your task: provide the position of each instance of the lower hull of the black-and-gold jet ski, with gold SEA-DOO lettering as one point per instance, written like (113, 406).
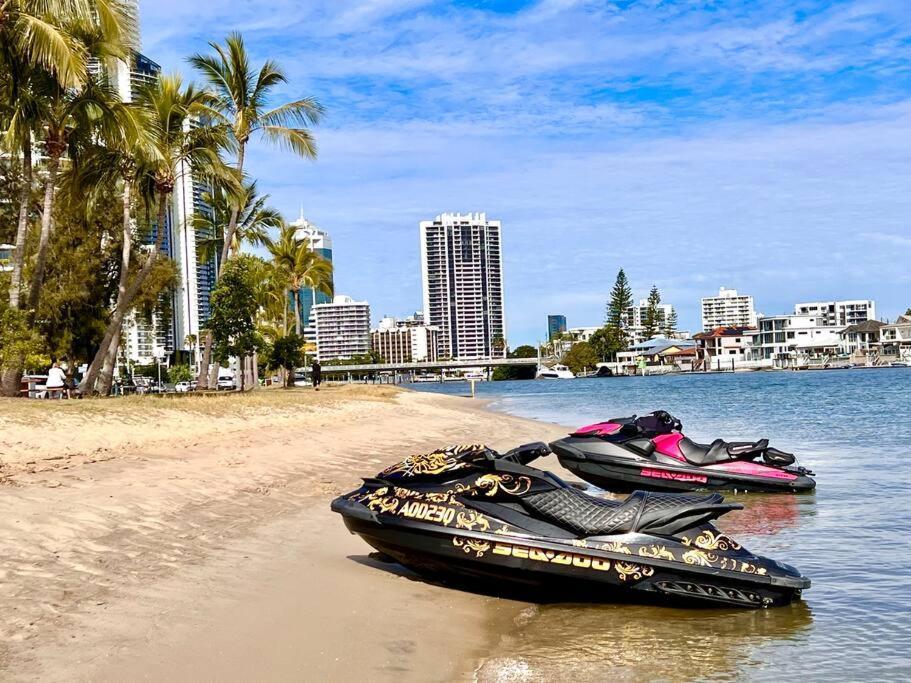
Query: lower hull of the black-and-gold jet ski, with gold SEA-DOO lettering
(572, 569)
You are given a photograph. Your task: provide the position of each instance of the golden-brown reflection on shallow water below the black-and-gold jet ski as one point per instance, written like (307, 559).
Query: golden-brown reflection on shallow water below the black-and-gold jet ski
(625, 642)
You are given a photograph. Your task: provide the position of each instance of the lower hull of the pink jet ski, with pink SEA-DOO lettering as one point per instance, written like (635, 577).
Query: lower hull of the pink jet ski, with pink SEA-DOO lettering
(614, 469)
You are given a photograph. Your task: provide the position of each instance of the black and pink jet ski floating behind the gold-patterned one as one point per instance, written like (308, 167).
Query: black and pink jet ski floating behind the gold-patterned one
(651, 452)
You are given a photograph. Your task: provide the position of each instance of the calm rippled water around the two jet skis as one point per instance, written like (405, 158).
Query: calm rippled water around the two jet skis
(852, 537)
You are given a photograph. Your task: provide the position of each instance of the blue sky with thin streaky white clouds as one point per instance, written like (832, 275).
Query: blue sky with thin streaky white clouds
(759, 145)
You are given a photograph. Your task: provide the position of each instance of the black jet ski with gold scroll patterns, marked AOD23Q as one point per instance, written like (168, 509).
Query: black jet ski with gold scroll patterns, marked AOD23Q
(473, 513)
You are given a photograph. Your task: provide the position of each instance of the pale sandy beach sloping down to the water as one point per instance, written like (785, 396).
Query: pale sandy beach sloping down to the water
(190, 538)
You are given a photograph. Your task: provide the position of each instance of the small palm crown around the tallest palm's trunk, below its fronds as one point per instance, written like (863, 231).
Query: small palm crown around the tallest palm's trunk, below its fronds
(253, 223)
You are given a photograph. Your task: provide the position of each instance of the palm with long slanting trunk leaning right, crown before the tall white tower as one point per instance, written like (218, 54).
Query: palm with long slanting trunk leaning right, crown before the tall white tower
(175, 144)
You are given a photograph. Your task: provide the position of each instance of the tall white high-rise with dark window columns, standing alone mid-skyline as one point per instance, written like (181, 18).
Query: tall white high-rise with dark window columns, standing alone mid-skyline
(462, 268)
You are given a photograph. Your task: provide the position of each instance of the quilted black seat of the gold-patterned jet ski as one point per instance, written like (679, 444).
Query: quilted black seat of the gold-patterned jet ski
(643, 511)
